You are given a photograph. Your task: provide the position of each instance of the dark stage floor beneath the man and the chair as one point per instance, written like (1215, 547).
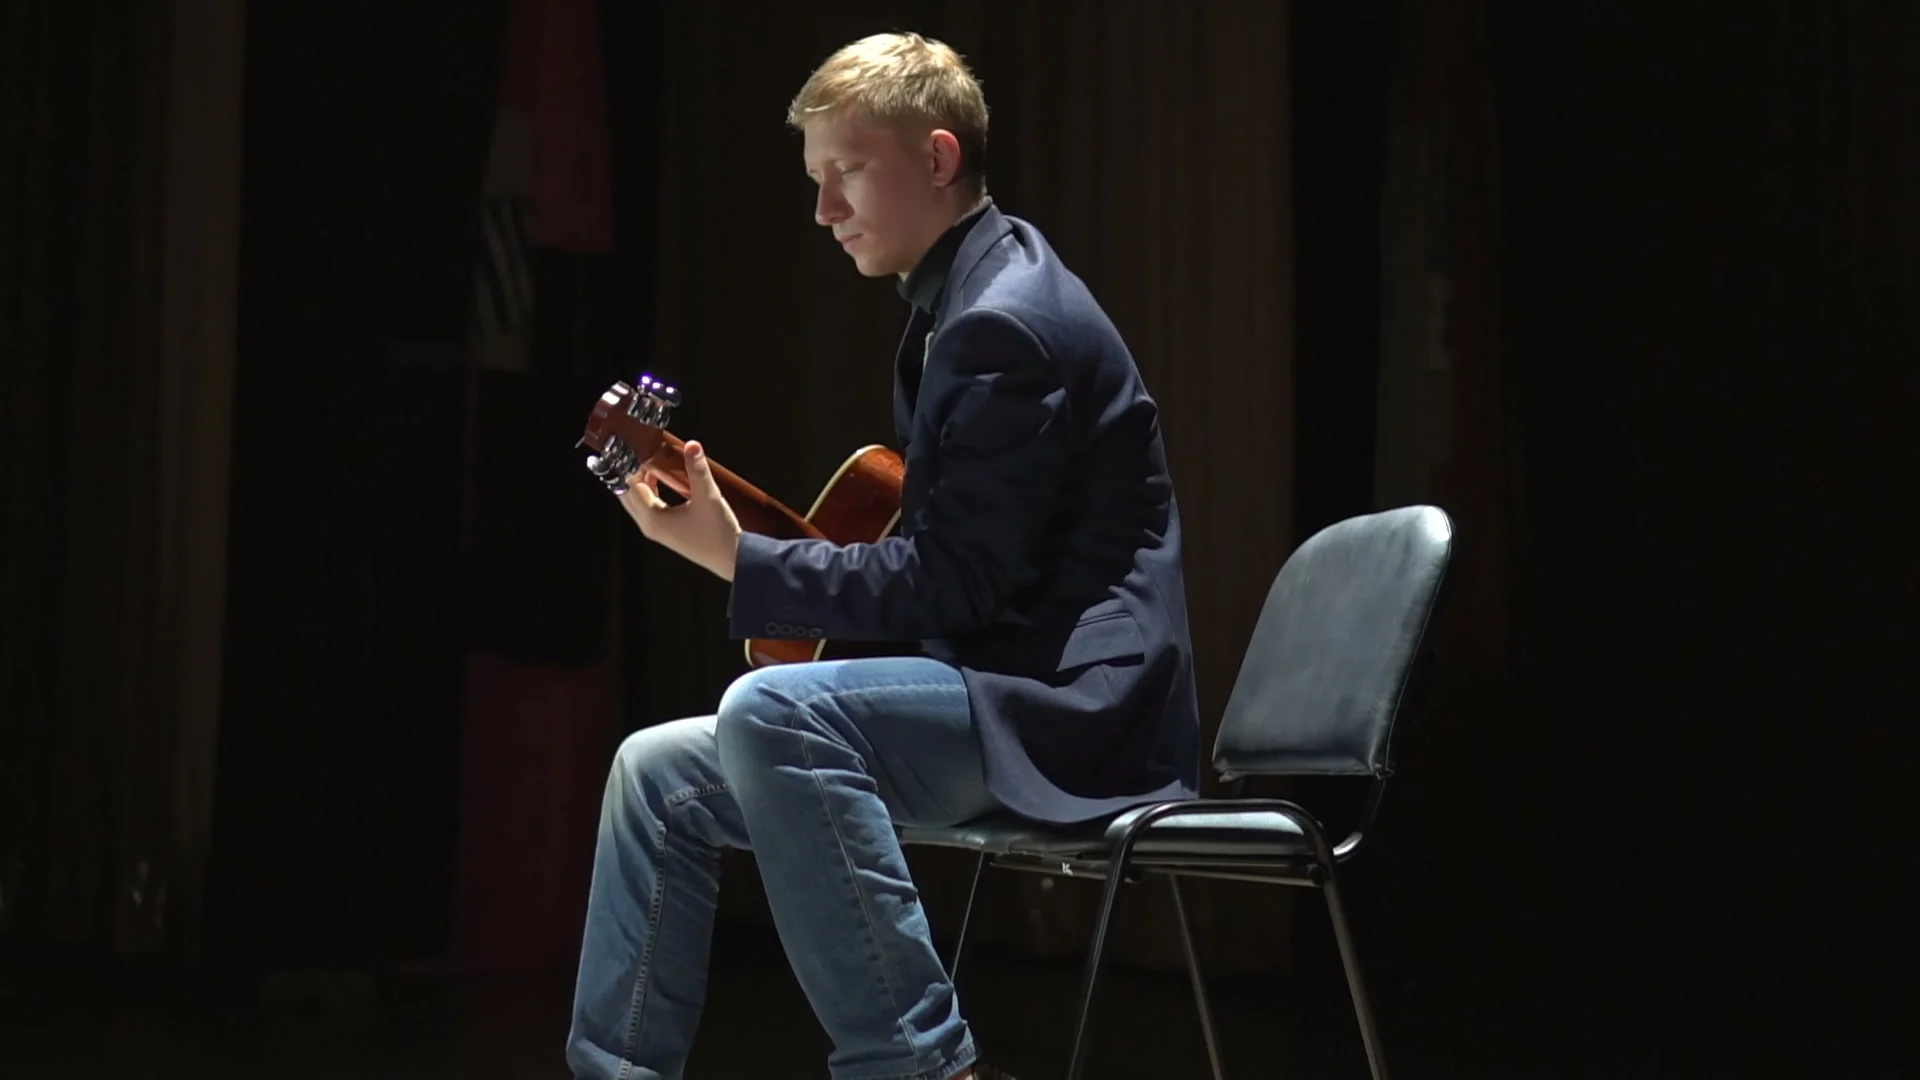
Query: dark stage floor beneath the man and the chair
(759, 1025)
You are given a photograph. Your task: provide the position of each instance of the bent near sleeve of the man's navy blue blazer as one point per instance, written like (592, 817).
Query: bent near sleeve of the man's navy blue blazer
(1005, 439)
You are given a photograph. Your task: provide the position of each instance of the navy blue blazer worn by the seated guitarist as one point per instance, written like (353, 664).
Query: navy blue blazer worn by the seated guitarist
(1040, 543)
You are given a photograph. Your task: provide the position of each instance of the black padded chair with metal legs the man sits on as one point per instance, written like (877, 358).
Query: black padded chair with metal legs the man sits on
(1318, 695)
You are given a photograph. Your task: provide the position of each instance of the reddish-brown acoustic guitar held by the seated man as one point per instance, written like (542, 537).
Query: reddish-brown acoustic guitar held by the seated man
(859, 504)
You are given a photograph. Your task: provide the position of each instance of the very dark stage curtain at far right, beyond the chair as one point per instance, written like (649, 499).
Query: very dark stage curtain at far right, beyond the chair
(1650, 331)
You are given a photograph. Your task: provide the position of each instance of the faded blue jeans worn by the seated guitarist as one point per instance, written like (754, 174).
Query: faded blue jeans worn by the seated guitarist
(807, 766)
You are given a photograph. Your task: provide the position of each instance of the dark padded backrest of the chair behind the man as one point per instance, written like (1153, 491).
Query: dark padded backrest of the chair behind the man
(1330, 660)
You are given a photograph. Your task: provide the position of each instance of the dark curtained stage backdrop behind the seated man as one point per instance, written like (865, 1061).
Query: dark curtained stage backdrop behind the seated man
(310, 622)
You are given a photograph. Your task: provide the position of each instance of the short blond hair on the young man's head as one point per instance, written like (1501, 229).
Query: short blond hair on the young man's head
(907, 84)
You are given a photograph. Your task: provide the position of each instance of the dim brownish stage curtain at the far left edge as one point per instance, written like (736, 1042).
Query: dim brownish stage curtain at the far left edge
(118, 320)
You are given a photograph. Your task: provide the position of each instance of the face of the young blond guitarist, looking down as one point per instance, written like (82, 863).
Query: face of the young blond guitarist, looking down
(880, 195)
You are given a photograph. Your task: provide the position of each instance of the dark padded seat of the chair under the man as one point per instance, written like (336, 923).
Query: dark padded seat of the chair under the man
(1237, 835)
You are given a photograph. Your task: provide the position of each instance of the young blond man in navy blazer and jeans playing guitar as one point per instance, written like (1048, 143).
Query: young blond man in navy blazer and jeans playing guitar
(1038, 562)
